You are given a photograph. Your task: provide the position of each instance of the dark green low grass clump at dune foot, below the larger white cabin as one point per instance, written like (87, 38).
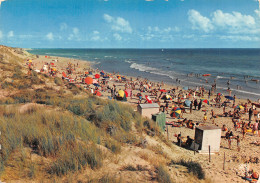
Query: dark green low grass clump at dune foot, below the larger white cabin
(193, 167)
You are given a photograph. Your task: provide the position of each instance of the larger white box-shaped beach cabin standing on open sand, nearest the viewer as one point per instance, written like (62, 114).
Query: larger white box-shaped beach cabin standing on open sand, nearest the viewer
(206, 136)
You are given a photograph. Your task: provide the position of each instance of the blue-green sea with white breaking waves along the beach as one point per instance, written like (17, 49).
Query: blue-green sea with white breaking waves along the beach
(183, 67)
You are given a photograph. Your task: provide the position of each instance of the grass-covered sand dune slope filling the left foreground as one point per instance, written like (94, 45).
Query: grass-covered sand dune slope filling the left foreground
(62, 133)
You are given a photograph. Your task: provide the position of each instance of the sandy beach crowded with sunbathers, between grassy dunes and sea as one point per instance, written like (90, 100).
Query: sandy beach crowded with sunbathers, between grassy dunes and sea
(235, 160)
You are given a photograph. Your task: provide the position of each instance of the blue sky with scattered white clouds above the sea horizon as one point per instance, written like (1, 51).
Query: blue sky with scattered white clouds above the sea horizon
(130, 23)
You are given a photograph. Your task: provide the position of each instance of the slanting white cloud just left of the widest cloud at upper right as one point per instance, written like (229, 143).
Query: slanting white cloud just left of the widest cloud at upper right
(199, 22)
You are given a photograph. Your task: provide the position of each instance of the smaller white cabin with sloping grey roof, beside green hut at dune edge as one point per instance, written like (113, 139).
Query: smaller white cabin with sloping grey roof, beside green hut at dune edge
(148, 109)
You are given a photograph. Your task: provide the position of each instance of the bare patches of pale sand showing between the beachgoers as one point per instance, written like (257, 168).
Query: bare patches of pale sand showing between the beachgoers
(235, 161)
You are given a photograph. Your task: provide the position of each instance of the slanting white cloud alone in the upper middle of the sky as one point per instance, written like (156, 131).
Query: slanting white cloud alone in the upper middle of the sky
(118, 24)
